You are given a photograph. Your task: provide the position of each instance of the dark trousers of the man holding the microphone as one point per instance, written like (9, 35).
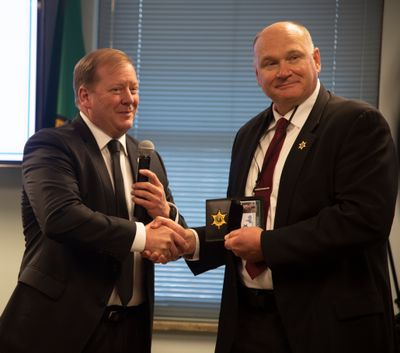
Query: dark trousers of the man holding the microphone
(121, 331)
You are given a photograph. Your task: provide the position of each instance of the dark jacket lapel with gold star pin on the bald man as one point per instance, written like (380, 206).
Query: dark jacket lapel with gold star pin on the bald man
(297, 156)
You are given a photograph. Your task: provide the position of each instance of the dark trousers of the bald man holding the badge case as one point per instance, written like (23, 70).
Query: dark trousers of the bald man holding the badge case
(260, 328)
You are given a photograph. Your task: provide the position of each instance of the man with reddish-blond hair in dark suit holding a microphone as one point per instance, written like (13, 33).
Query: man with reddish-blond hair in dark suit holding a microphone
(66, 298)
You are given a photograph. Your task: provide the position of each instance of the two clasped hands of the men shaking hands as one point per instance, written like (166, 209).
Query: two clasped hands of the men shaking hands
(167, 241)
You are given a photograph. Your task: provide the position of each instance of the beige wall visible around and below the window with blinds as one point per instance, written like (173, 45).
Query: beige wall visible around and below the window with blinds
(11, 239)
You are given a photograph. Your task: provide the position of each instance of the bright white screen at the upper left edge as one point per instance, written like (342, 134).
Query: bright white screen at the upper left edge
(18, 37)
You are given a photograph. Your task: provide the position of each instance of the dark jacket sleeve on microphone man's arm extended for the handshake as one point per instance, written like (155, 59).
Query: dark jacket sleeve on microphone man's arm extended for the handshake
(52, 183)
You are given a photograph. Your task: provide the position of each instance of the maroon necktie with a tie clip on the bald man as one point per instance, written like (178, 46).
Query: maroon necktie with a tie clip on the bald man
(264, 184)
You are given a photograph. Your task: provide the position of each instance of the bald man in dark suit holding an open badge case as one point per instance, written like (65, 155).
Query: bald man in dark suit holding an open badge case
(323, 284)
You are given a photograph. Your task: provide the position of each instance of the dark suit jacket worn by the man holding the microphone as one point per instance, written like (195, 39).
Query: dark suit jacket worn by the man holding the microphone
(74, 244)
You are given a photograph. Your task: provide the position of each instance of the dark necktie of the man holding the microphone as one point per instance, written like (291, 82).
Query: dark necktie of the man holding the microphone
(124, 282)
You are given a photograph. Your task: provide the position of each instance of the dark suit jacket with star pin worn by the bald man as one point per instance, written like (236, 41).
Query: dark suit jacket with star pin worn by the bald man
(327, 252)
